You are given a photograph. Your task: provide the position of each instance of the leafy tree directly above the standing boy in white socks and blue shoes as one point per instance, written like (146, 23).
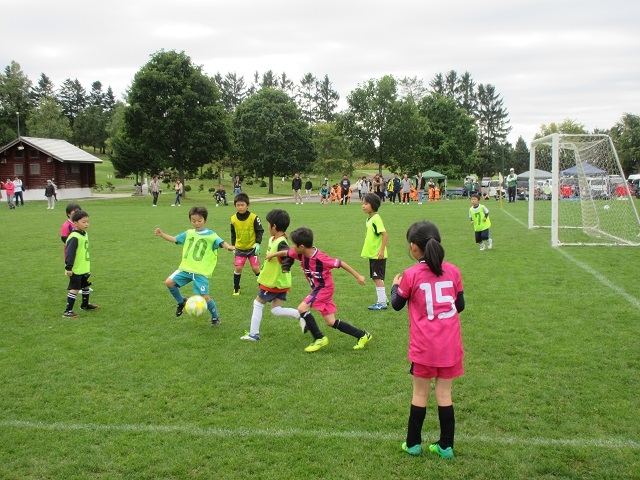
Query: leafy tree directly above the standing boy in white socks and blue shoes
(366, 124)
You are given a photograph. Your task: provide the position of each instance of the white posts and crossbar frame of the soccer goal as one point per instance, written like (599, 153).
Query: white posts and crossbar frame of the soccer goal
(568, 142)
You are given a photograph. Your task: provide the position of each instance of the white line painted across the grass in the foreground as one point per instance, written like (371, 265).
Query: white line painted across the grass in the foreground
(293, 432)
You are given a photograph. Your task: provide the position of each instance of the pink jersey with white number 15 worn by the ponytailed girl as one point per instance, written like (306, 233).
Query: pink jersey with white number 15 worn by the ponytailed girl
(435, 339)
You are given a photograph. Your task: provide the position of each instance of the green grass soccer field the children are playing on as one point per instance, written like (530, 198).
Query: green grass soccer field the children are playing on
(130, 391)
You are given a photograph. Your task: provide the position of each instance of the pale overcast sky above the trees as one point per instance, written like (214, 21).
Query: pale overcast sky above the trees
(549, 60)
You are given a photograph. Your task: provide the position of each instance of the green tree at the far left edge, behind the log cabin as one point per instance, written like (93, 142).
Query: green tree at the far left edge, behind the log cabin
(15, 98)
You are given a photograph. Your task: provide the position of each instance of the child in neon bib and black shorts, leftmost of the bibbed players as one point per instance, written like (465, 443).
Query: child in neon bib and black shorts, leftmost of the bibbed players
(77, 265)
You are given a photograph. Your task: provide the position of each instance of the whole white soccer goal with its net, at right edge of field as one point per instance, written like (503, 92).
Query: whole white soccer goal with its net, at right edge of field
(578, 190)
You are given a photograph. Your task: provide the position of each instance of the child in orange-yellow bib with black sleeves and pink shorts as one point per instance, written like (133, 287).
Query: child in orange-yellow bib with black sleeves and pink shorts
(246, 236)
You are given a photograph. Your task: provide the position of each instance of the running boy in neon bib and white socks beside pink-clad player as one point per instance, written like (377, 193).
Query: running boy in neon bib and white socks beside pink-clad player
(274, 280)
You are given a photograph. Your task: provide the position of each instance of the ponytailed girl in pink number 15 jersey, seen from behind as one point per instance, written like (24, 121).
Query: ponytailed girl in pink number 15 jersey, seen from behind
(434, 291)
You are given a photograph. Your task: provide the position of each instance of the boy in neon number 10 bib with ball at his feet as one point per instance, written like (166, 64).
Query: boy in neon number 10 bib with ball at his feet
(197, 264)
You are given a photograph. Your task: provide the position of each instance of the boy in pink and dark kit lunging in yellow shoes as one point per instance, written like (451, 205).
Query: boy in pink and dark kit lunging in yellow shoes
(317, 267)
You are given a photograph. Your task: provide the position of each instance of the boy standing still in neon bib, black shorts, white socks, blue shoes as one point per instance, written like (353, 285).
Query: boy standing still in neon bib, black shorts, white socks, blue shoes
(375, 248)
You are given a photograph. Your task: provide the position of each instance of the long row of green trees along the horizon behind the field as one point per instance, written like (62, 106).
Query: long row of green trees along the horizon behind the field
(177, 119)
